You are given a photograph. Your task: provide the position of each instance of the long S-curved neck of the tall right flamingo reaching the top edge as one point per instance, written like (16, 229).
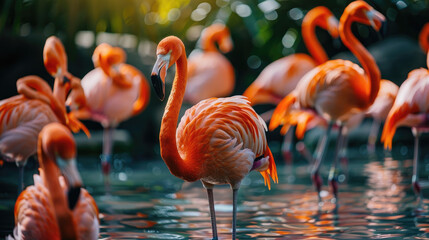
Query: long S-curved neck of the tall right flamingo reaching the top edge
(366, 60)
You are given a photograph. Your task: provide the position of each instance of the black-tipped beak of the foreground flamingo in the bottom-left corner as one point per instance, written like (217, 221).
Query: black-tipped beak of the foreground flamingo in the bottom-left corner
(69, 170)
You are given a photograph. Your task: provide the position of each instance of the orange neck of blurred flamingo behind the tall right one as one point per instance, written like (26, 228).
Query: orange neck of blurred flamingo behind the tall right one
(310, 40)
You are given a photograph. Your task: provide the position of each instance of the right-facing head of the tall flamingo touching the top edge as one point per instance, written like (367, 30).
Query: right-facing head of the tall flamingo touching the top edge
(362, 12)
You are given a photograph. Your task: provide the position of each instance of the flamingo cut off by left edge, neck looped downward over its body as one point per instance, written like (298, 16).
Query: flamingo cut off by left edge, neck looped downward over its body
(23, 116)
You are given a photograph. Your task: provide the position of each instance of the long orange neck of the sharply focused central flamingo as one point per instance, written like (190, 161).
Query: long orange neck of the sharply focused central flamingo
(167, 137)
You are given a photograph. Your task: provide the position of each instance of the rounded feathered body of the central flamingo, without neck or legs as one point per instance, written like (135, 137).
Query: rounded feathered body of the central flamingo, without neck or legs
(224, 135)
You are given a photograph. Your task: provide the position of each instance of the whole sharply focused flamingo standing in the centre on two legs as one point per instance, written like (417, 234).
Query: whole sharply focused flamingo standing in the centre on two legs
(218, 140)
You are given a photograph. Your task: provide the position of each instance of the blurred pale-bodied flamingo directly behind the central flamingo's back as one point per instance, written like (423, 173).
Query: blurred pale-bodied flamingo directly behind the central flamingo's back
(210, 74)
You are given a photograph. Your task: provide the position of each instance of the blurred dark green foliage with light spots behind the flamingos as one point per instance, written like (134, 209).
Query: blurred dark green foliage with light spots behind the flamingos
(262, 31)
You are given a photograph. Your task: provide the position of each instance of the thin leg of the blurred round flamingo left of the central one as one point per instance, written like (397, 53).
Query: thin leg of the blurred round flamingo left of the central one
(106, 157)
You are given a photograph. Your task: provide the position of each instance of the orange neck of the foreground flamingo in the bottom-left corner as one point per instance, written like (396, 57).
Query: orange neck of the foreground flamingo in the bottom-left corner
(64, 216)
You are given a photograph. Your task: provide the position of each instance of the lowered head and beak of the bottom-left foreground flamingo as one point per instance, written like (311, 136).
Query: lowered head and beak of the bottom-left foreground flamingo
(57, 142)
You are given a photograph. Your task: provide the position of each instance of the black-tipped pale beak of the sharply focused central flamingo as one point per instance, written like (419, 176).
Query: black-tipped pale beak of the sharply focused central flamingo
(159, 72)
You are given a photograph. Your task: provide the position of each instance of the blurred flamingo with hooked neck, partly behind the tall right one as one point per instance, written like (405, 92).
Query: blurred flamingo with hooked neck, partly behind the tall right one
(279, 78)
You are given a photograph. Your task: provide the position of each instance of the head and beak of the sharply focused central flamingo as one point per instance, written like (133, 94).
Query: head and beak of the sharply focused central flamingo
(168, 52)
